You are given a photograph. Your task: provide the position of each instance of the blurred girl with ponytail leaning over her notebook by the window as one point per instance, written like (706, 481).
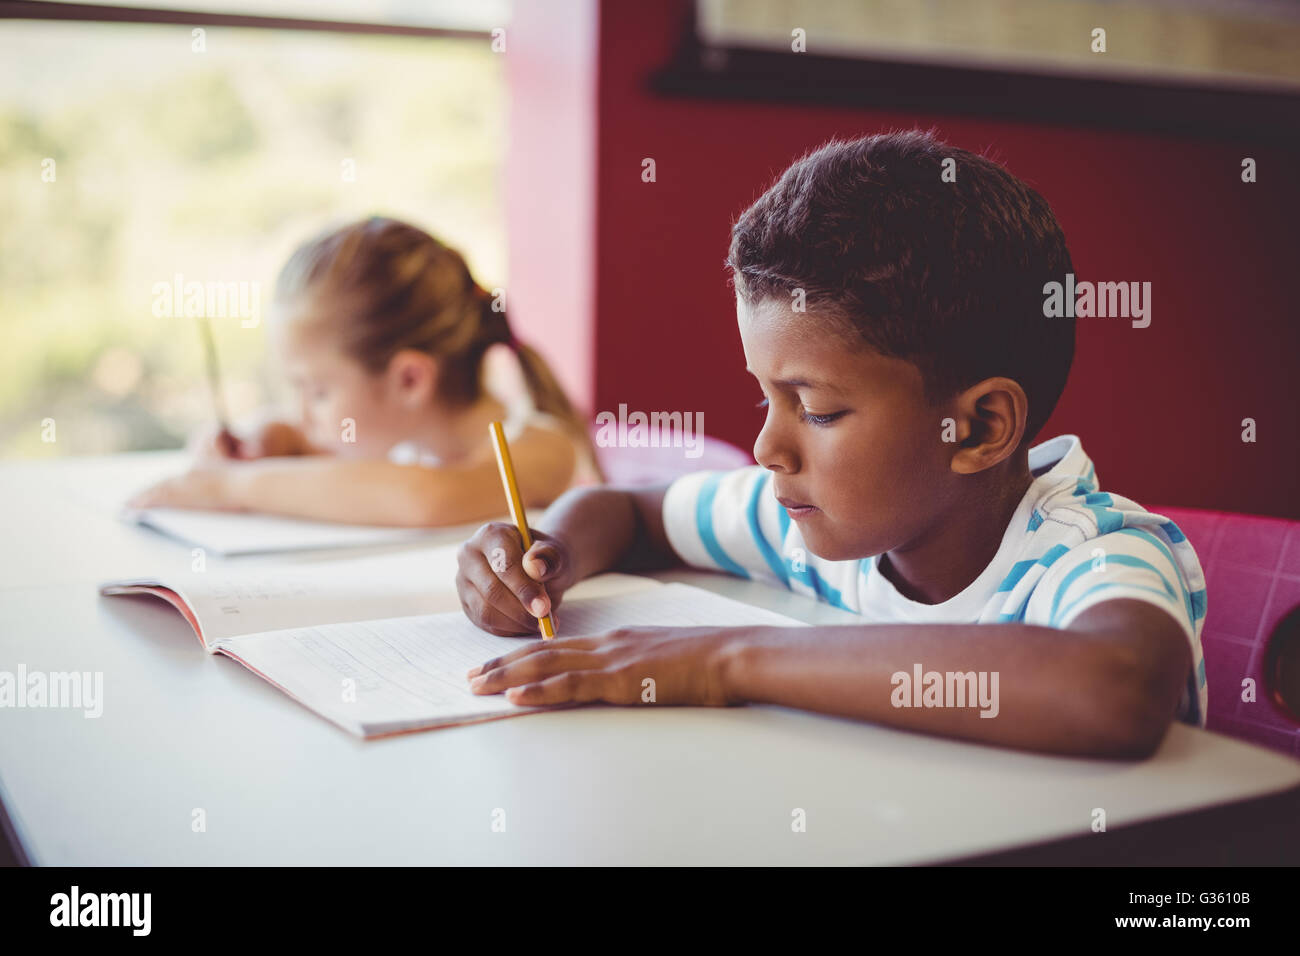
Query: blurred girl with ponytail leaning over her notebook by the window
(384, 334)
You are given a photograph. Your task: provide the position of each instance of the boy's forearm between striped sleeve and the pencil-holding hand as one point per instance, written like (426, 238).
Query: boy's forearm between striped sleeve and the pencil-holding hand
(605, 530)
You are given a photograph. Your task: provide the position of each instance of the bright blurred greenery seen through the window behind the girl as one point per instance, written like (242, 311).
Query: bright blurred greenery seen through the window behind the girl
(128, 159)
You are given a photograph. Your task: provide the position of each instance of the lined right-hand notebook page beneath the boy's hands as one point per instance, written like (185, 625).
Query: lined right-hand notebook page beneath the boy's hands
(379, 677)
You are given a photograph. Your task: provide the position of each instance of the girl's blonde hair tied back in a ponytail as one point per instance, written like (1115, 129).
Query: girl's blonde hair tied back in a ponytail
(387, 285)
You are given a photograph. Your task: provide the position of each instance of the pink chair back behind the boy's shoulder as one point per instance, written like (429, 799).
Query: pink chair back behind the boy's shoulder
(1253, 581)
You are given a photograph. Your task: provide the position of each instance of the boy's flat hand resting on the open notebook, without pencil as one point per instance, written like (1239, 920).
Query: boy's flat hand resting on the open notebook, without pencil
(632, 665)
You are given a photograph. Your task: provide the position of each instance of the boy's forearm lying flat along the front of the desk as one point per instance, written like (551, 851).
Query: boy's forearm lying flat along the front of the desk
(1056, 691)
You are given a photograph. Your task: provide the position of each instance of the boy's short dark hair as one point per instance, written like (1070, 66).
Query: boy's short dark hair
(946, 275)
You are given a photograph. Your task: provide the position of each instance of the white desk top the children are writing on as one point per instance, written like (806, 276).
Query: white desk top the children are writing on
(183, 730)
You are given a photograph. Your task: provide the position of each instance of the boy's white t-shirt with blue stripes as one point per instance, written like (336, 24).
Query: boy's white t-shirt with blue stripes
(1068, 548)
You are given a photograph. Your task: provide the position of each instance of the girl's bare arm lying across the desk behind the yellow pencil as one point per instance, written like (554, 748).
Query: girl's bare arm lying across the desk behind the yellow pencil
(372, 492)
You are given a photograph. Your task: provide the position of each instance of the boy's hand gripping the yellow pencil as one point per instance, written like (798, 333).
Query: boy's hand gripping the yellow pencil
(499, 583)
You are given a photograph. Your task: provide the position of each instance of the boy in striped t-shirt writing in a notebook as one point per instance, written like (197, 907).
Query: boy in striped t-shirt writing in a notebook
(895, 325)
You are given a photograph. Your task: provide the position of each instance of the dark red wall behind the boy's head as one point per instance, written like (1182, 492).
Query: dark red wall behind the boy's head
(1159, 409)
